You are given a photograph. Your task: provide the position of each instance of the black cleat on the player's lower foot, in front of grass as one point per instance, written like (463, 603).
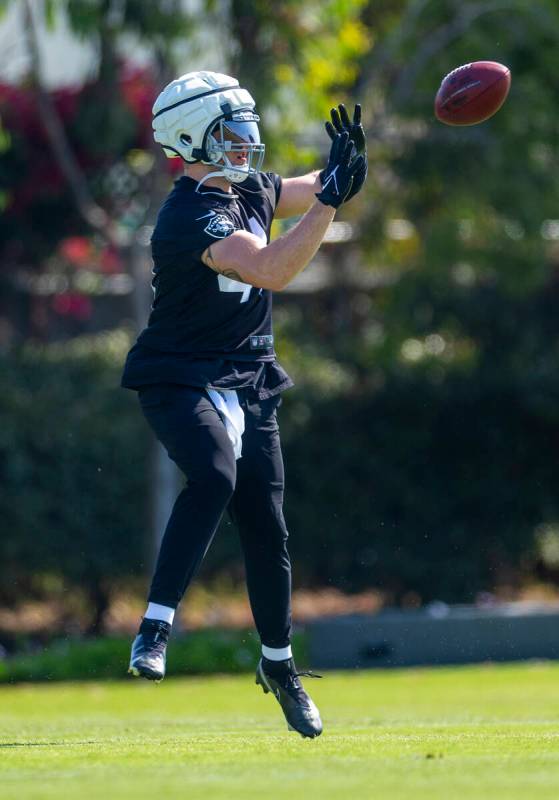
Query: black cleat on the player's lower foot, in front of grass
(282, 680)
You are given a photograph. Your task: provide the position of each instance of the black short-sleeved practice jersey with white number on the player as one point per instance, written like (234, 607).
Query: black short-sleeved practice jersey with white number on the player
(202, 325)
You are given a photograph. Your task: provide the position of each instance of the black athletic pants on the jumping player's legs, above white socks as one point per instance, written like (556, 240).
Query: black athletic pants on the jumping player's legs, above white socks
(188, 425)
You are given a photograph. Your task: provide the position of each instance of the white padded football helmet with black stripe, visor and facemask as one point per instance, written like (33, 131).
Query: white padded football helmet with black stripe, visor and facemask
(207, 117)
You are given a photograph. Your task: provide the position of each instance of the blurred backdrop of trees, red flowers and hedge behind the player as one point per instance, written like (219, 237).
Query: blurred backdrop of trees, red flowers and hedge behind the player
(422, 438)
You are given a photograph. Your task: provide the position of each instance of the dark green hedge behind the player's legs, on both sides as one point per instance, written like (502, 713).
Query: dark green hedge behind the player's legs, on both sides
(433, 483)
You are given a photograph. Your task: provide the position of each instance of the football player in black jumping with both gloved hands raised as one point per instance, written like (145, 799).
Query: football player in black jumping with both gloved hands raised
(205, 367)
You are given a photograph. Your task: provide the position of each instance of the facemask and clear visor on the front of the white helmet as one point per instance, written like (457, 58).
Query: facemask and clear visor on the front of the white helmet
(233, 144)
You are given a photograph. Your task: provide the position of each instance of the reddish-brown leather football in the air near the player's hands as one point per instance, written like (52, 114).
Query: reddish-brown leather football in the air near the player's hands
(472, 93)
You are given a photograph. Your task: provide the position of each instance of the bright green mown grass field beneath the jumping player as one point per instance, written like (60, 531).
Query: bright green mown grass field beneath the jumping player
(470, 732)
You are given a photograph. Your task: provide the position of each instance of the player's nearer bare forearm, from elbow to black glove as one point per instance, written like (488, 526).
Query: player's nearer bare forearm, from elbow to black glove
(280, 261)
